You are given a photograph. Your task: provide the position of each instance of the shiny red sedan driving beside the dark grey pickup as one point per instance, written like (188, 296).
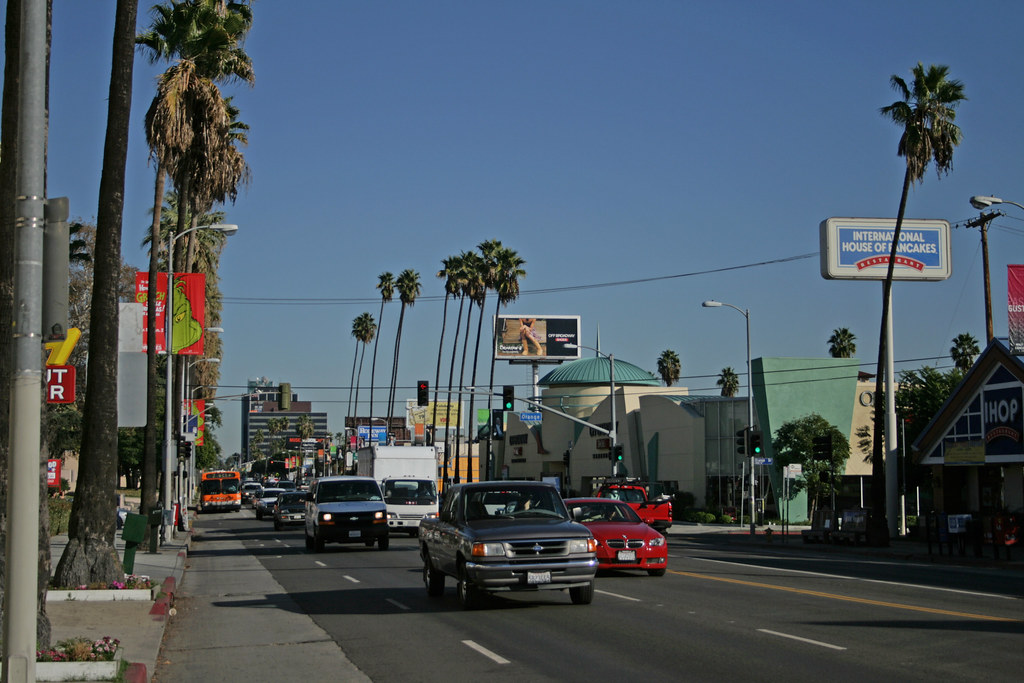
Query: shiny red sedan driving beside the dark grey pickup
(624, 541)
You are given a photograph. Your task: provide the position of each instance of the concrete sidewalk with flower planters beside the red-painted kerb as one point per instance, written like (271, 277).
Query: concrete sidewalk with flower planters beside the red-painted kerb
(139, 625)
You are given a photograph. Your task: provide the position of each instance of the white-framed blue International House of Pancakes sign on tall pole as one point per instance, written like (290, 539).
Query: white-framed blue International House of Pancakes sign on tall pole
(859, 249)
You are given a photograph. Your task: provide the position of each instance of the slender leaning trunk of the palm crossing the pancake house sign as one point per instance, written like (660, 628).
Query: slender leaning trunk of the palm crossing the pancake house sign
(880, 526)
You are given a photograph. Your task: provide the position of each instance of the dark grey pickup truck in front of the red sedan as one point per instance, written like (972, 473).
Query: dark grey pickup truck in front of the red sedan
(507, 536)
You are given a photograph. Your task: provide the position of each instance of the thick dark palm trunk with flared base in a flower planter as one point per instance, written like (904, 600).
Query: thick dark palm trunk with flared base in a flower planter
(91, 556)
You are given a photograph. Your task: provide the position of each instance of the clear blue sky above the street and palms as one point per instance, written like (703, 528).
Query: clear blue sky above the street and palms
(605, 142)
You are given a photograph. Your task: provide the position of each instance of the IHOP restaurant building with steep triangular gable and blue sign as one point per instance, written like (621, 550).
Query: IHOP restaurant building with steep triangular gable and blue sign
(974, 444)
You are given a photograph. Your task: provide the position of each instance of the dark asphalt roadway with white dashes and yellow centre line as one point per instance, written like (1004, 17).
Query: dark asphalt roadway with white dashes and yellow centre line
(721, 613)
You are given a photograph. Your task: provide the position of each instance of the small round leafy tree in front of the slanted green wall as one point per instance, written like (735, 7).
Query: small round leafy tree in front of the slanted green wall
(794, 444)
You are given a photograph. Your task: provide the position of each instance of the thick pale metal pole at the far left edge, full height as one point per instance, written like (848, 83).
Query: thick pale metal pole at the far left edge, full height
(24, 469)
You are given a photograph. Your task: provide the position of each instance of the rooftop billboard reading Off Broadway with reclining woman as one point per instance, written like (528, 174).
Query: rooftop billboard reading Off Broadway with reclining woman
(537, 337)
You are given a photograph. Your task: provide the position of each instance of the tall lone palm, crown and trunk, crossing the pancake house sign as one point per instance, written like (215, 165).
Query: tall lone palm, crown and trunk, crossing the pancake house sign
(926, 114)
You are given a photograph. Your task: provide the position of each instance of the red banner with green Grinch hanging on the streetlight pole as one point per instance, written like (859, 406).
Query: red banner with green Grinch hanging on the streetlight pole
(190, 312)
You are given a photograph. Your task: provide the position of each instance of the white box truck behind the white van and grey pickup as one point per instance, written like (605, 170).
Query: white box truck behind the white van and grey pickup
(409, 479)
